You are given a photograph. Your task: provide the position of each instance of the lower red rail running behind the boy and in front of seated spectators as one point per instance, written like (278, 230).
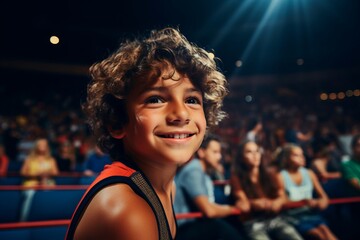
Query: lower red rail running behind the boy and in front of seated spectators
(65, 222)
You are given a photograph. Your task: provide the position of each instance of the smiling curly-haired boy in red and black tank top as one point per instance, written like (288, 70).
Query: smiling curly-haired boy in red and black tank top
(149, 105)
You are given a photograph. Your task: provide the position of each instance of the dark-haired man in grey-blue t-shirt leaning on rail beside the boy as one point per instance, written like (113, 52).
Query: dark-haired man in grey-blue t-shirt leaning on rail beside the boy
(195, 192)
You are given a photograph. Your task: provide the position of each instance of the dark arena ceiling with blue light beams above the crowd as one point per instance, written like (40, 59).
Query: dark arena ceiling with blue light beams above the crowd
(269, 40)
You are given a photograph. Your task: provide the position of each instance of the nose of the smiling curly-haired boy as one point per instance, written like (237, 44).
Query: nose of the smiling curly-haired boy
(178, 114)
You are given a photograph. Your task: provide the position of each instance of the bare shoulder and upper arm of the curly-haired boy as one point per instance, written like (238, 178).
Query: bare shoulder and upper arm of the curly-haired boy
(117, 212)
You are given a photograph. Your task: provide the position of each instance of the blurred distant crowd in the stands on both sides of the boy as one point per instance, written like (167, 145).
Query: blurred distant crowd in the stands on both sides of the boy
(323, 130)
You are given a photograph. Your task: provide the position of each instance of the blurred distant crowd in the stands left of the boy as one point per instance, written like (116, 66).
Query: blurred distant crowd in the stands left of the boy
(56, 129)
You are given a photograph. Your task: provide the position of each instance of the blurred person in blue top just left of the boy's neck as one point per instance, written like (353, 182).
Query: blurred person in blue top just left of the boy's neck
(95, 162)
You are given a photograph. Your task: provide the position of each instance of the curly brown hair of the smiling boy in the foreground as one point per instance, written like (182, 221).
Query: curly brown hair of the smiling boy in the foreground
(140, 62)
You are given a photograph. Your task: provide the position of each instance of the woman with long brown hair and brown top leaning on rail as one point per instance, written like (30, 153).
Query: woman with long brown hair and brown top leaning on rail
(259, 195)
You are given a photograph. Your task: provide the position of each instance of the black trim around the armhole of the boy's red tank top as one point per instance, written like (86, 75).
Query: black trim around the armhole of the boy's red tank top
(140, 186)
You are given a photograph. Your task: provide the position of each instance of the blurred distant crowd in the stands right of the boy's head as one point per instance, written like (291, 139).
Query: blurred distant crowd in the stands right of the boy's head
(323, 129)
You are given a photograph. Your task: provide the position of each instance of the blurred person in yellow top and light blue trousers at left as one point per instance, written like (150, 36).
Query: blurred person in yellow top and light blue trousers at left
(38, 169)
